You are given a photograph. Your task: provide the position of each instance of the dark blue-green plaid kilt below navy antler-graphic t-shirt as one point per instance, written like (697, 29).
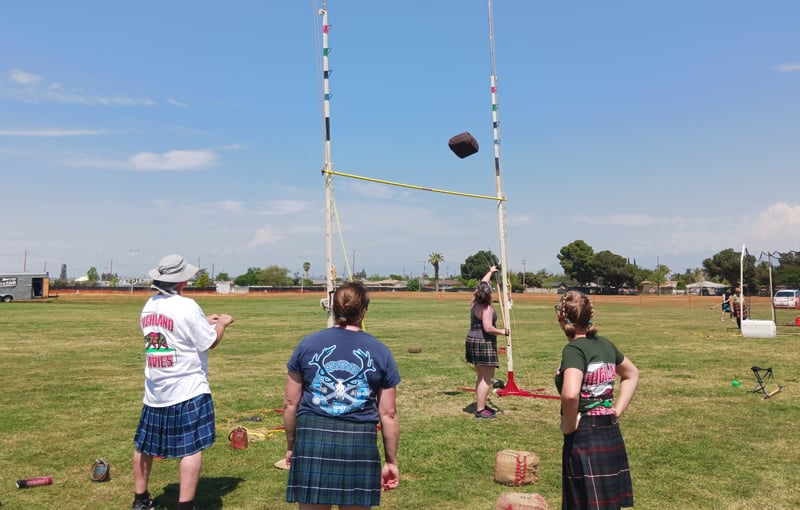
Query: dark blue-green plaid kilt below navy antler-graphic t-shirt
(334, 462)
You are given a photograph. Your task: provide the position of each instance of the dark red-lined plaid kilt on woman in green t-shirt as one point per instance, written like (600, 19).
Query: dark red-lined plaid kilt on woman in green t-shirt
(595, 470)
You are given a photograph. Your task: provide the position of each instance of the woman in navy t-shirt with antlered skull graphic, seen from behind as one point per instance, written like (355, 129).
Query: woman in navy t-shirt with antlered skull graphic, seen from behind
(341, 384)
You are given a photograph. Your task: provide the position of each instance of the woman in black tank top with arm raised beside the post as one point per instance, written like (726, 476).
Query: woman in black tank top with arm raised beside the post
(481, 344)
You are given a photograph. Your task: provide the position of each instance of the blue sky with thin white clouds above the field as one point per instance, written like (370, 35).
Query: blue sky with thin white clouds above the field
(664, 132)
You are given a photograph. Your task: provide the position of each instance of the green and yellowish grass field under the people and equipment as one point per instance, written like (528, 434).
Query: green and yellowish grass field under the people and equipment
(72, 376)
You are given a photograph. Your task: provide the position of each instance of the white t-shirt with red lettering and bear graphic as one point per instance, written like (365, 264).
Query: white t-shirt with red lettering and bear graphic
(177, 337)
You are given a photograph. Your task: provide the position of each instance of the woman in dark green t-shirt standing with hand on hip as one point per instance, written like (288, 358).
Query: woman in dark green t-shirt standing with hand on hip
(595, 471)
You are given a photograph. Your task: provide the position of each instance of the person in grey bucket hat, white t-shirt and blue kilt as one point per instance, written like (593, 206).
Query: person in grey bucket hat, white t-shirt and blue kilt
(177, 420)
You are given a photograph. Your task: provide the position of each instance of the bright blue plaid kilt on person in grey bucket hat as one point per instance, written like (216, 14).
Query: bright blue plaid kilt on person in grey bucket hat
(176, 431)
